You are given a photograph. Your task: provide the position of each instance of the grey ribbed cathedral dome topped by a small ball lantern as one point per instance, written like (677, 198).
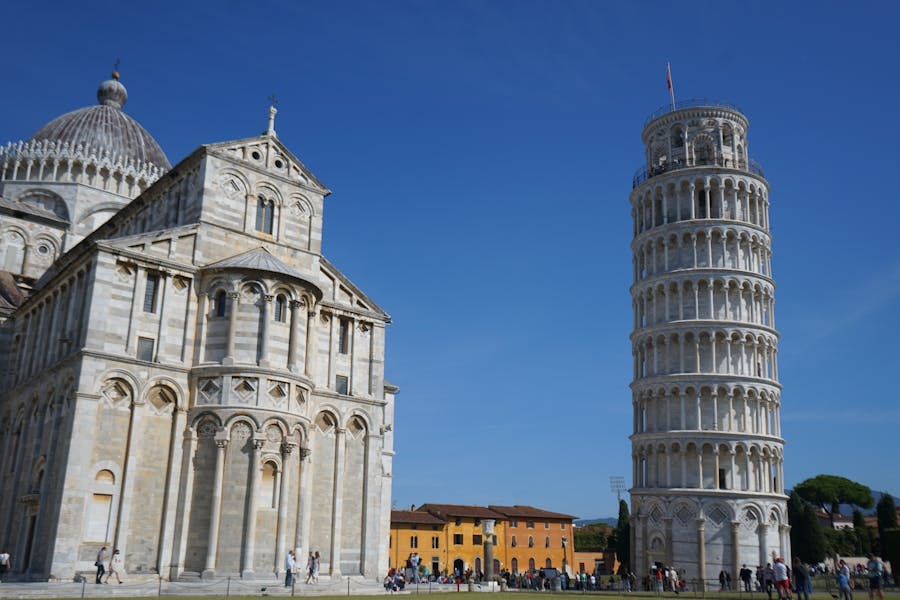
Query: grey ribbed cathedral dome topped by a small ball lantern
(105, 129)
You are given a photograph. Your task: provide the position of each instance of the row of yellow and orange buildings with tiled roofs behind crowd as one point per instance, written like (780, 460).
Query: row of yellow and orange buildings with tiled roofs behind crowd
(449, 538)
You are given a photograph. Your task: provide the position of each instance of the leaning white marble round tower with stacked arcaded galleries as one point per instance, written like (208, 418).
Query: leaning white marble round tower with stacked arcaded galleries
(708, 490)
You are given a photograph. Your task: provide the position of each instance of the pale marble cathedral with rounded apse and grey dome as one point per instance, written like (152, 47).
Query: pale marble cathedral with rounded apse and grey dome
(183, 375)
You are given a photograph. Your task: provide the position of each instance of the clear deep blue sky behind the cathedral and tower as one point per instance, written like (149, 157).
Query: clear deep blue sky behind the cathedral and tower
(481, 154)
